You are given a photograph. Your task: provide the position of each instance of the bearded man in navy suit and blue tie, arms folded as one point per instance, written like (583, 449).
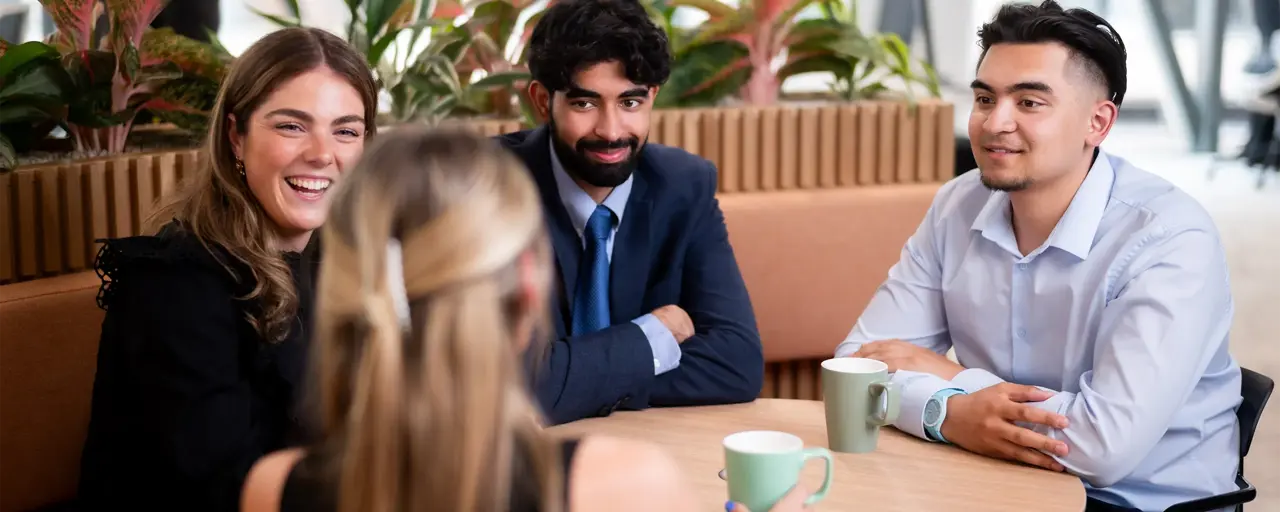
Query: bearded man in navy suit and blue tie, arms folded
(652, 309)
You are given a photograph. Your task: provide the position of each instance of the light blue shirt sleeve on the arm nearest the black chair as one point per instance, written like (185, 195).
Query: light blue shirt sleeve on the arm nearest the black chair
(1156, 340)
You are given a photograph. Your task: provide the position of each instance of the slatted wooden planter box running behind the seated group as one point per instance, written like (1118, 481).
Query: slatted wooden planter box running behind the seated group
(52, 214)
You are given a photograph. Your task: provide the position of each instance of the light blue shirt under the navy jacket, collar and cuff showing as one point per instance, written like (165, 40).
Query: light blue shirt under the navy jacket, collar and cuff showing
(580, 205)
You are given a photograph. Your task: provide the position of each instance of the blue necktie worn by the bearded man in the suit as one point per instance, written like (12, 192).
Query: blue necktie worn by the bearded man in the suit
(592, 298)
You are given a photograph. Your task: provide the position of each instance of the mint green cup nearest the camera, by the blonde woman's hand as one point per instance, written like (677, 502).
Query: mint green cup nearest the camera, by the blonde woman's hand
(764, 465)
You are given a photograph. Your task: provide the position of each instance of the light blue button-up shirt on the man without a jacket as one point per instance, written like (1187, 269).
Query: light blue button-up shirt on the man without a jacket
(1124, 313)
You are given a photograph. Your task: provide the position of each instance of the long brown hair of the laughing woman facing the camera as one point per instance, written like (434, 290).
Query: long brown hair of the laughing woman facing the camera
(217, 205)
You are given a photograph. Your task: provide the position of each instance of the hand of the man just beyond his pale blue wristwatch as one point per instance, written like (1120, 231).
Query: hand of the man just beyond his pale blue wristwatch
(984, 423)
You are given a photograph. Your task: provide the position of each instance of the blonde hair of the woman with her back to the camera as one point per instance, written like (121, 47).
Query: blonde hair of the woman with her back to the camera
(433, 414)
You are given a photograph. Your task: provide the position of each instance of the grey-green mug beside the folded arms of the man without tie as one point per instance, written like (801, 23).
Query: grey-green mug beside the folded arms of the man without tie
(860, 401)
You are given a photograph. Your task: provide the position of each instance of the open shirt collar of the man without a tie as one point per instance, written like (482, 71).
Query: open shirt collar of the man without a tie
(1075, 231)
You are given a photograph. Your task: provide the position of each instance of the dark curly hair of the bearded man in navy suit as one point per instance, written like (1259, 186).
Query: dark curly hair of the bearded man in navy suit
(575, 35)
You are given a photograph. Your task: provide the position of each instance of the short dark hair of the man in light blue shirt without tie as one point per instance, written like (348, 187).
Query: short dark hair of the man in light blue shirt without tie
(1094, 43)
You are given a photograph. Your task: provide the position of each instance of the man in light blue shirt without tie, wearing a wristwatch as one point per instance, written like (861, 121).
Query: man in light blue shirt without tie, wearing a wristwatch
(1087, 300)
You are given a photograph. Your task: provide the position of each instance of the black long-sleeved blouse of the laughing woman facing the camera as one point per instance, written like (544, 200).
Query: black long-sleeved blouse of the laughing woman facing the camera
(188, 396)
